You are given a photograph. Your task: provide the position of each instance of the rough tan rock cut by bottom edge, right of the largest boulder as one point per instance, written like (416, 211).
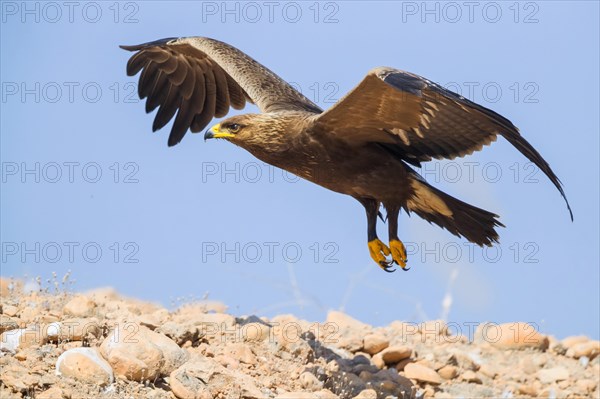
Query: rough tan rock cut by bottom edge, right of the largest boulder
(205, 378)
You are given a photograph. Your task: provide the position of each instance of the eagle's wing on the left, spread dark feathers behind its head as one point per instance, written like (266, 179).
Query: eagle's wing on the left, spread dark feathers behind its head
(200, 78)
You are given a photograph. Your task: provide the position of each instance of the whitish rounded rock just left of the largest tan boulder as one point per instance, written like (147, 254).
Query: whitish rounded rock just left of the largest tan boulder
(85, 365)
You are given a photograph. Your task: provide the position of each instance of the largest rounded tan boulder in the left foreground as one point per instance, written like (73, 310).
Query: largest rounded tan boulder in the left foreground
(138, 353)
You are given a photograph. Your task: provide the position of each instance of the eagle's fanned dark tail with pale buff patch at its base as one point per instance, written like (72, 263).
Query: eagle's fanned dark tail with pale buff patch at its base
(459, 218)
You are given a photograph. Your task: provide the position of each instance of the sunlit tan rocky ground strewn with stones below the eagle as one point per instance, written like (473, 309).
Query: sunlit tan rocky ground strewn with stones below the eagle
(102, 345)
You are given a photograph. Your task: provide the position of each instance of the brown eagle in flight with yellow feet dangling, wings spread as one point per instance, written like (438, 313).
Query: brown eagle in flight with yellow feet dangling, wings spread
(365, 146)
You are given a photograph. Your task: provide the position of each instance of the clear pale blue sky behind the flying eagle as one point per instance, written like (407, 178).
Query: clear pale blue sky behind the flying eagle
(87, 187)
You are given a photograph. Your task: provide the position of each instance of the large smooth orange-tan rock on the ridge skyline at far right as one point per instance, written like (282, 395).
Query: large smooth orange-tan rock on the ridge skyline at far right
(516, 335)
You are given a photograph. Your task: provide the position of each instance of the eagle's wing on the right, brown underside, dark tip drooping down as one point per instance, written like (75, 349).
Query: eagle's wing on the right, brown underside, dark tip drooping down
(419, 120)
